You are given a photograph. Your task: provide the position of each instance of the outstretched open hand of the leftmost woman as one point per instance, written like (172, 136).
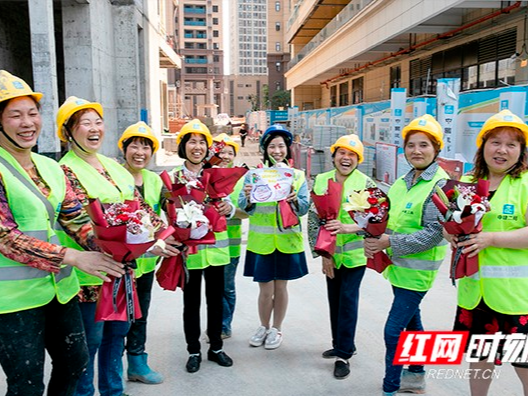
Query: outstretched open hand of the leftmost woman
(94, 263)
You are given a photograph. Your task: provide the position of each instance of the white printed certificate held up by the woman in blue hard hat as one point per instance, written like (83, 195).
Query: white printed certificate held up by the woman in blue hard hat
(270, 184)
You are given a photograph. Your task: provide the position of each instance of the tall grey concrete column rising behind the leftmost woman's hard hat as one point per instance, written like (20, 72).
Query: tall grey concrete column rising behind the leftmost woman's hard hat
(45, 71)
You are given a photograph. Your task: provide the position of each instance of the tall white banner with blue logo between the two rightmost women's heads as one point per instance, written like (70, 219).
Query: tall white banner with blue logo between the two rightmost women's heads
(447, 91)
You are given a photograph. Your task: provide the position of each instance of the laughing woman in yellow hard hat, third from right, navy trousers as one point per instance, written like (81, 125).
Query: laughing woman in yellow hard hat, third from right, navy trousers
(345, 269)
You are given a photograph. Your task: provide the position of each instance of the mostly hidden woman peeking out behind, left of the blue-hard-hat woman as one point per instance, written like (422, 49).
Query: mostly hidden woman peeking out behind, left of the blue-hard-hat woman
(234, 232)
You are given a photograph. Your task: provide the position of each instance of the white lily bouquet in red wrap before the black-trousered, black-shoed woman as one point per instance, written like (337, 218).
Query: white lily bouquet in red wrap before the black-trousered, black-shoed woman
(191, 226)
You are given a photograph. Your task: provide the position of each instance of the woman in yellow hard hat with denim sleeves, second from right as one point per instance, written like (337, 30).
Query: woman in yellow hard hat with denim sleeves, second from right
(415, 245)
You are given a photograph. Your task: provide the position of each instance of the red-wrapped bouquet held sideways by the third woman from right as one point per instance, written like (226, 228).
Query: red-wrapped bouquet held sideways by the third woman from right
(327, 206)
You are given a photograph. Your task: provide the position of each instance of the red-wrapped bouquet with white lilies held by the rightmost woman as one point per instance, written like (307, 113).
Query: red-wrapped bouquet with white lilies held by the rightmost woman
(463, 205)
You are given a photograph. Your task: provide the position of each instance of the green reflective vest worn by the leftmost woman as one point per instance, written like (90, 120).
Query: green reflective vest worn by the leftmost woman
(23, 287)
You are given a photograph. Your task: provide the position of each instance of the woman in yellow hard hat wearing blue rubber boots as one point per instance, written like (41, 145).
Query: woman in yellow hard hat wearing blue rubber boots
(138, 144)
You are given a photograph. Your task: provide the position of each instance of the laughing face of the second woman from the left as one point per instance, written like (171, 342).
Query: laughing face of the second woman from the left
(88, 131)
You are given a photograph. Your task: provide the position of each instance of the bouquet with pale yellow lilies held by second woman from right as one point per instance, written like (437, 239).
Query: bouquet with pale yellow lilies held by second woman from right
(369, 208)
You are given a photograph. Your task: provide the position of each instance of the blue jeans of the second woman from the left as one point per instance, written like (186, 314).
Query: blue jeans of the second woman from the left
(108, 339)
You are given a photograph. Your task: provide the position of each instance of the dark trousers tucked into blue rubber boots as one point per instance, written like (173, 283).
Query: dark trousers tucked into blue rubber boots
(137, 335)
